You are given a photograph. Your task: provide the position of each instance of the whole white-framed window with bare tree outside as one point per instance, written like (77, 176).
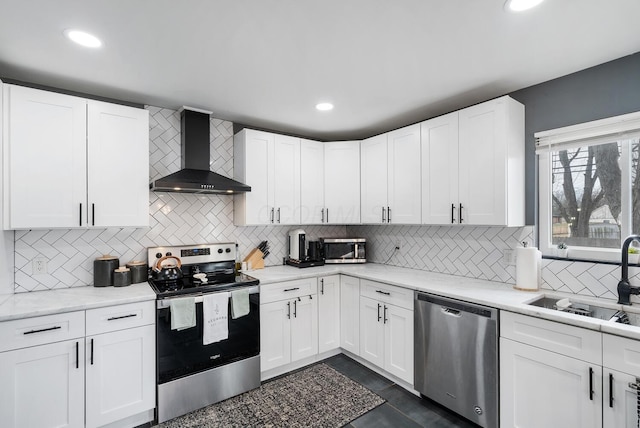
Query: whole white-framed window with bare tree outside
(589, 186)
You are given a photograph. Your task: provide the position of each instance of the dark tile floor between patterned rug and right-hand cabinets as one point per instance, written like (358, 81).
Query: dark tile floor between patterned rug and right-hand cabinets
(402, 408)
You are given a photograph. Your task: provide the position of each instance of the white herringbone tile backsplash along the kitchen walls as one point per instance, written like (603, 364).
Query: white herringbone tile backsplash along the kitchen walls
(177, 218)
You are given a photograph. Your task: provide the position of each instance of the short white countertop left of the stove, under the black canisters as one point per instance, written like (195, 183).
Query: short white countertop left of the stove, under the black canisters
(36, 303)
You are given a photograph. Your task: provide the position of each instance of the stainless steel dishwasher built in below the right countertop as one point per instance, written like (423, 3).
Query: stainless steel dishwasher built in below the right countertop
(456, 356)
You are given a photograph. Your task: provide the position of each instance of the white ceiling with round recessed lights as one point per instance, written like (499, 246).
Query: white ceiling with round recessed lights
(266, 63)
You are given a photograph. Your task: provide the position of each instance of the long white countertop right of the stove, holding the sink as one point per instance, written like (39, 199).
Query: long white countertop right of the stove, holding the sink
(494, 294)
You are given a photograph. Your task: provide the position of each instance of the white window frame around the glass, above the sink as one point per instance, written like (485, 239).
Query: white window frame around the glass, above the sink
(621, 129)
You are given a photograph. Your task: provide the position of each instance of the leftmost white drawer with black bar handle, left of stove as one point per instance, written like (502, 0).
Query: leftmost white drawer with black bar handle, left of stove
(27, 332)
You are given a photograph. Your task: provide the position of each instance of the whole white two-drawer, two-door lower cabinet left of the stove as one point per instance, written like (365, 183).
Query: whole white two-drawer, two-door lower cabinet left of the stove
(54, 376)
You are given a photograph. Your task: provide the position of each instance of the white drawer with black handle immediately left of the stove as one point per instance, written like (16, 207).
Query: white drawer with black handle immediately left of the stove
(112, 318)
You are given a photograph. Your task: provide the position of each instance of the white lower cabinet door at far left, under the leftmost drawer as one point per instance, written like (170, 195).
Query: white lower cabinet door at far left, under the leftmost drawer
(43, 386)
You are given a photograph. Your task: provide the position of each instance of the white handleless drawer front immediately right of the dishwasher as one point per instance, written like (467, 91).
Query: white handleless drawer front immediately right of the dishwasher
(564, 339)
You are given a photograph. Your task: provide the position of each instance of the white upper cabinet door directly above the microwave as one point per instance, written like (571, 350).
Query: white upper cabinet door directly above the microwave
(342, 182)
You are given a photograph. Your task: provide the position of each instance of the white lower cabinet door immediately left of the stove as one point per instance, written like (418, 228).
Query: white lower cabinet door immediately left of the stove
(120, 374)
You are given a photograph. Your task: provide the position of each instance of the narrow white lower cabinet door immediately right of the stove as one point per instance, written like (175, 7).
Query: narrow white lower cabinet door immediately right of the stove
(275, 334)
